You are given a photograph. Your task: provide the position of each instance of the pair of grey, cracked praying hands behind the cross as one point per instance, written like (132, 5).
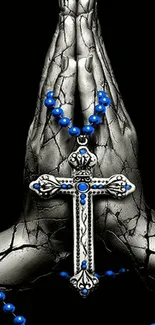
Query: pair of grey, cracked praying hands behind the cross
(77, 59)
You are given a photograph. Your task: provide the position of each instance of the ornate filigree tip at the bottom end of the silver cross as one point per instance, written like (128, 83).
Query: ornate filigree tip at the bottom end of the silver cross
(84, 282)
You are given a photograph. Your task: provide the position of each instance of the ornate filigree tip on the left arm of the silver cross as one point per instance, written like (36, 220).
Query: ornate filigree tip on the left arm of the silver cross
(45, 186)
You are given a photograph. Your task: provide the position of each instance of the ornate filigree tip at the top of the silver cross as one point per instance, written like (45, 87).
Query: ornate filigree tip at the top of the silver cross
(82, 159)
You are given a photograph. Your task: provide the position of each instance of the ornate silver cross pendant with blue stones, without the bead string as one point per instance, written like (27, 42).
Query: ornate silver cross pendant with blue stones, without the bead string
(83, 186)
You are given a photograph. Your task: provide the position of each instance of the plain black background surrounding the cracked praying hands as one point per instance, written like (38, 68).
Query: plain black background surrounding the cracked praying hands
(129, 38)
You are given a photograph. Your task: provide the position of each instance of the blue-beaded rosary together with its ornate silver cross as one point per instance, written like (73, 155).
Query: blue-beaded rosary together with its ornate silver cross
(82, 185)
